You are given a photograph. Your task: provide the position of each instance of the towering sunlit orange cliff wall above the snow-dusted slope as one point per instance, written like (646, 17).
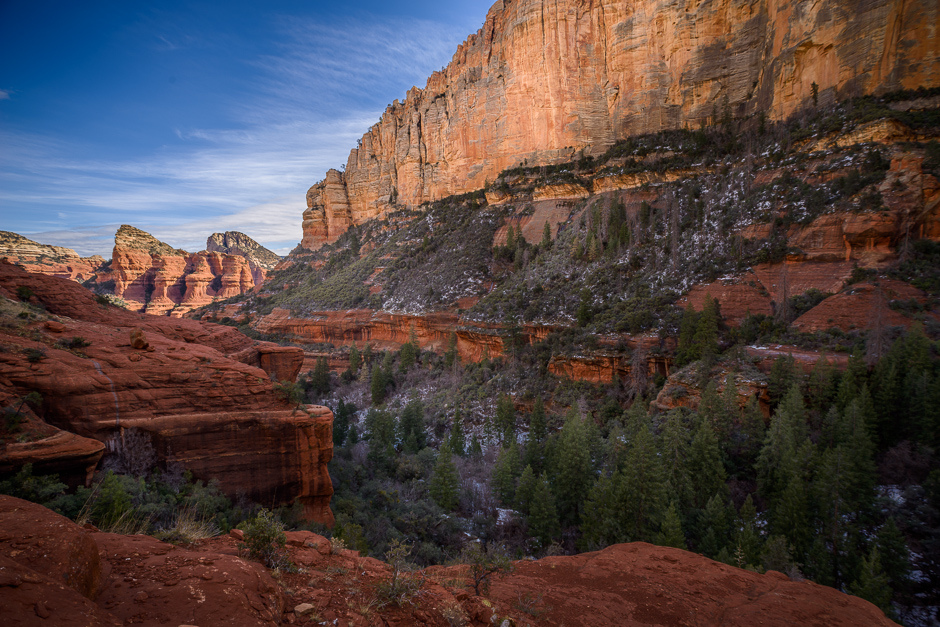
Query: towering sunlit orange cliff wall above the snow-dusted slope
(545, 78)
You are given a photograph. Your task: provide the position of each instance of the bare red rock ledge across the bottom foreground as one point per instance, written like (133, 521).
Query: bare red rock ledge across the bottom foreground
(54, 569)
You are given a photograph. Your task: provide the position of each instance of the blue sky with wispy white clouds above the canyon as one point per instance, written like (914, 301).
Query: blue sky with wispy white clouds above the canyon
(186, 118)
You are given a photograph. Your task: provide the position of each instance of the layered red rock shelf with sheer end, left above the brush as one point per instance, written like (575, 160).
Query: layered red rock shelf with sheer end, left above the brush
(201, 391)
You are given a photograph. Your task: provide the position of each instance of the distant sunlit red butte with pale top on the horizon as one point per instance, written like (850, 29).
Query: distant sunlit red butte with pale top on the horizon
(154, 277)
